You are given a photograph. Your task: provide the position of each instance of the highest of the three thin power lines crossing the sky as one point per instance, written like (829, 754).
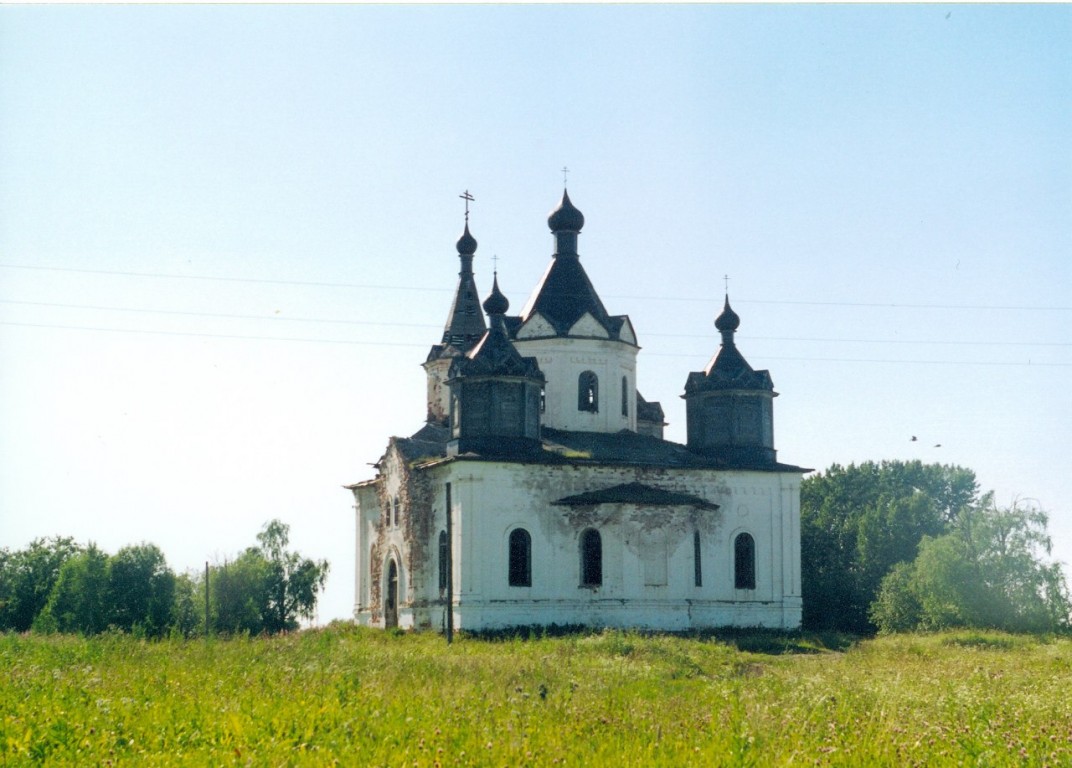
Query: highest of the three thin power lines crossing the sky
(308, 284)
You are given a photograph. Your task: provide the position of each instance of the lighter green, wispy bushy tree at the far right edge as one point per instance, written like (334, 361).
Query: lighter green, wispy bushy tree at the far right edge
(989, 572)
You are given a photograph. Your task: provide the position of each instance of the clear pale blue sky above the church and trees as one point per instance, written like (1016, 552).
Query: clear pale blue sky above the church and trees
(228, 239)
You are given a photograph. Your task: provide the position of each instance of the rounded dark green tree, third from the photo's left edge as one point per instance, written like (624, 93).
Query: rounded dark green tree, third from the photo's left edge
(141, 590)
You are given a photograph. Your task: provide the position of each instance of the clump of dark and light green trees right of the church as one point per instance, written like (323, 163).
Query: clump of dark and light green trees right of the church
(899, 547)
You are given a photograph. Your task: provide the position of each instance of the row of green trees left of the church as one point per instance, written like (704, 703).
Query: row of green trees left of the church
(56, 585)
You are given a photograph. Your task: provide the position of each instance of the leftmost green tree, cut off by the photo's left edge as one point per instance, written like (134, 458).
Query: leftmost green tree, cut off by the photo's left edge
(27, 579)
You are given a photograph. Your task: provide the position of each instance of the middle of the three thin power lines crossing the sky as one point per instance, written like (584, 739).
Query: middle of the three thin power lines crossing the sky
(285, 319)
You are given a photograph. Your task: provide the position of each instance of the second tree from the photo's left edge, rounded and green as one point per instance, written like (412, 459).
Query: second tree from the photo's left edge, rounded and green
(79, 600)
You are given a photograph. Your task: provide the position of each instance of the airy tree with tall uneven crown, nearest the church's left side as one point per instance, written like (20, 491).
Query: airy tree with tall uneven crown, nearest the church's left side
(293, 582)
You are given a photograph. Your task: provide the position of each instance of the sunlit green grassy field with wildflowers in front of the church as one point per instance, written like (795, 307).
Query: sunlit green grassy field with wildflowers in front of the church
(350, 697)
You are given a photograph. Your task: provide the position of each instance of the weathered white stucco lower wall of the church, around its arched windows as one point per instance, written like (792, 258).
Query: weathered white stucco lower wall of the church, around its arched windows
(492, 499)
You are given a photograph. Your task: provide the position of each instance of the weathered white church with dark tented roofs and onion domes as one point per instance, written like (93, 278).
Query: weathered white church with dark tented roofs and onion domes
(541, 490)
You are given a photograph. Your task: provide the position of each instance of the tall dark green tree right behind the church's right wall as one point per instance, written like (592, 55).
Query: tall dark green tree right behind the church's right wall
(858, 522)
